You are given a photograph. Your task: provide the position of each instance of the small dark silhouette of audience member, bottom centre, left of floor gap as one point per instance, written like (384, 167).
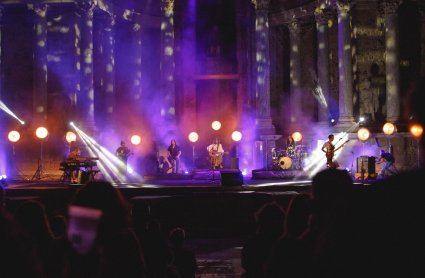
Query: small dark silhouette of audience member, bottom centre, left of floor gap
(184, 260)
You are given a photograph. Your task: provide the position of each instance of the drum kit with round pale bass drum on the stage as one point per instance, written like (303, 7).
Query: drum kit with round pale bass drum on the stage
(282, 161)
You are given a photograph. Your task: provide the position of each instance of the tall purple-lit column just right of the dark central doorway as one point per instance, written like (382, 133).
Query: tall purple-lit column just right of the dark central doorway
(263, 120)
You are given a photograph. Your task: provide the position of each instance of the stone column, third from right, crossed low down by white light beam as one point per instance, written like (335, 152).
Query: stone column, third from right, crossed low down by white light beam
(322, 19)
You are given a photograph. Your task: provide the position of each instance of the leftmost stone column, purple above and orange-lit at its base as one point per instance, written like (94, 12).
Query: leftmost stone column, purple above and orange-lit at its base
(39, 94)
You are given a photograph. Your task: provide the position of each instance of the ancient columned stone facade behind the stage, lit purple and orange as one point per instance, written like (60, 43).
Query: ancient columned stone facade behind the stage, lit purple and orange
(282, 67)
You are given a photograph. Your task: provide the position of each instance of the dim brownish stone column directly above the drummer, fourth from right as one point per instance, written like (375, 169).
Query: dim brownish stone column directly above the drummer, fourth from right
(295, 71)
